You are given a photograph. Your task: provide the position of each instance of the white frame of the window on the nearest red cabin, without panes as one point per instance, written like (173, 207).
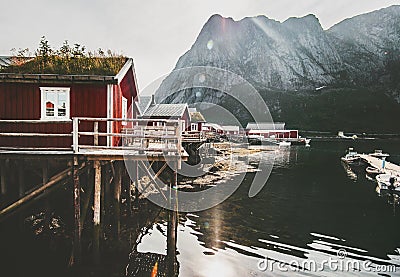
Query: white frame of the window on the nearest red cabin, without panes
(56, 117)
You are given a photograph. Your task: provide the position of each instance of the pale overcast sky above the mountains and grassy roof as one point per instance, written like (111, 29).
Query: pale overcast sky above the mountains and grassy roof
(155, 33)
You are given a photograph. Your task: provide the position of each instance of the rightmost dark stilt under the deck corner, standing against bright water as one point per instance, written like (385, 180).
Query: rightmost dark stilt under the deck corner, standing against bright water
(172, 227)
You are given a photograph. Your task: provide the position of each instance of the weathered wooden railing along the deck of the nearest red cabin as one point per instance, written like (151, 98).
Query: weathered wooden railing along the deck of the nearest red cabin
(94, 134)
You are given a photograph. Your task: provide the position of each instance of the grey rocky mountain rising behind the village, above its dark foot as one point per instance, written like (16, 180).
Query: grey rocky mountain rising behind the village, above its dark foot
(292, 59)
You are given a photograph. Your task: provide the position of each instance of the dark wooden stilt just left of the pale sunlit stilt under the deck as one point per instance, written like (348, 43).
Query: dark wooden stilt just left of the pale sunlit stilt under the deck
(76, 255)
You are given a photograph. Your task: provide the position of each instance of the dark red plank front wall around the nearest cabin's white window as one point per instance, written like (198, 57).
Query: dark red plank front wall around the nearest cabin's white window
(22, 101)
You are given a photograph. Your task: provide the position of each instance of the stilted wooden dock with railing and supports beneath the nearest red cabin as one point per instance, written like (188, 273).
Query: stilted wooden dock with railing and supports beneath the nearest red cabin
(88, 158)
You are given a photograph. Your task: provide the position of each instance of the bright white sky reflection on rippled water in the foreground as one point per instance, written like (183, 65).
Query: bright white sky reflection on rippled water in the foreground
(324, 254)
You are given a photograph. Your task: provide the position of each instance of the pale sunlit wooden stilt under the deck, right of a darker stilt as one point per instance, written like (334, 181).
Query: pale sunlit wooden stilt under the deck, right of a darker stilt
(97, 210)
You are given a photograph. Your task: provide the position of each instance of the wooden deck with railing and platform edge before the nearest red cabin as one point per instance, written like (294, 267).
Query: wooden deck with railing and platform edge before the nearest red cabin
(137, 139)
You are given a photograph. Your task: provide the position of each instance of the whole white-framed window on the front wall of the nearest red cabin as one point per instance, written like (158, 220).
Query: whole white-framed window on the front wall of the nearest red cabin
(54, 103)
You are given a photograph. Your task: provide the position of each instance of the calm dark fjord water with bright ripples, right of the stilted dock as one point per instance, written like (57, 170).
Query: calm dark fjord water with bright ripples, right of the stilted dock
(311, 208)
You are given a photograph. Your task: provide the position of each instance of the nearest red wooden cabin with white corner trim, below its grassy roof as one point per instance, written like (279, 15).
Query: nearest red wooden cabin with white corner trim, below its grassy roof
(50, 101)
